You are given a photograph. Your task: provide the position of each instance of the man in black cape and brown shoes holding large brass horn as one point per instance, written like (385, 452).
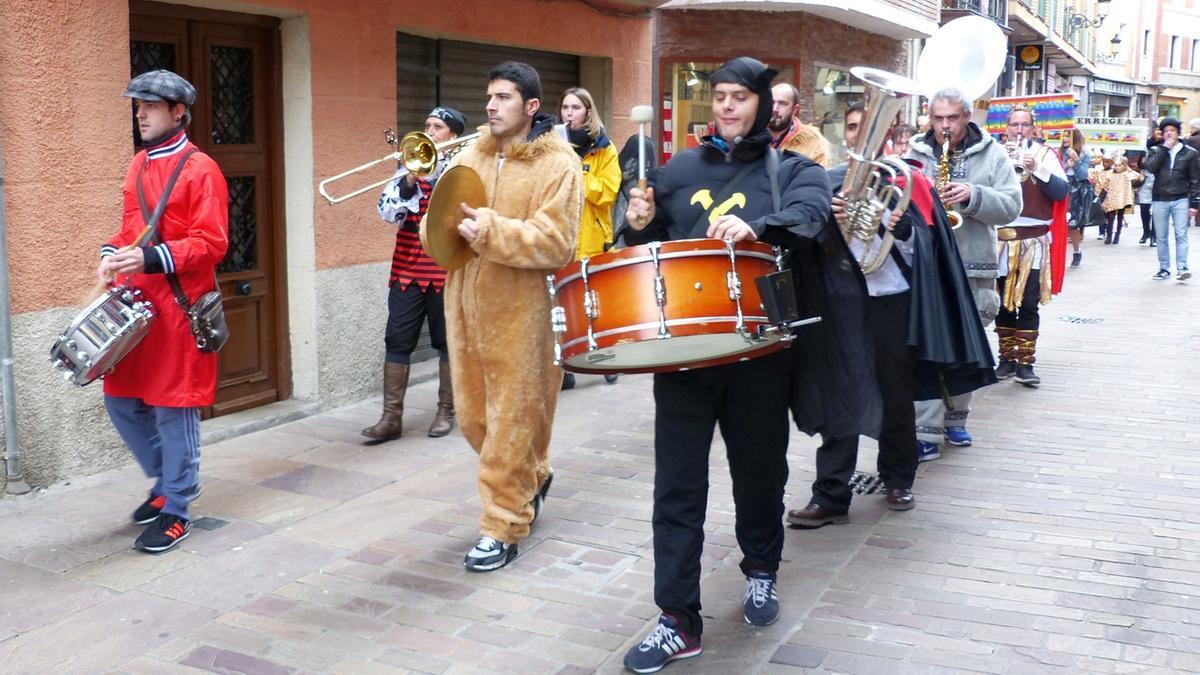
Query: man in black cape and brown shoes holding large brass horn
(916, 300)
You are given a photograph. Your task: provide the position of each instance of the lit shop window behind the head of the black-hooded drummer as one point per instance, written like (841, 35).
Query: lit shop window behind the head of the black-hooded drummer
(687, 101)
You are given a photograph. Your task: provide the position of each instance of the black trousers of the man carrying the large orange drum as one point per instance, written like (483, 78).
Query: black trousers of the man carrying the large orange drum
(748, 401)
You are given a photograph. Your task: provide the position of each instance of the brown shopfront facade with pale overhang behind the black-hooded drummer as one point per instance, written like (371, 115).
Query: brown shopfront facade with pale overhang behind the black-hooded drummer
(812, 45)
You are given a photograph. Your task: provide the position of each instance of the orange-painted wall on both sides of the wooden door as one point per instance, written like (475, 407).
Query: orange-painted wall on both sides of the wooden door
(65, 130)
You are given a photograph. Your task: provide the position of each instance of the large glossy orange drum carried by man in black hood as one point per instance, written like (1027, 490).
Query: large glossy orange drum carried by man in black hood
(664, 307)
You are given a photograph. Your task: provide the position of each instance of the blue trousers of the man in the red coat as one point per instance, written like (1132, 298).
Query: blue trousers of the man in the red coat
(167, 445)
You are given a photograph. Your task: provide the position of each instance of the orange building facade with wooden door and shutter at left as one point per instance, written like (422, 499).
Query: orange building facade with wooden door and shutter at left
(290, 92)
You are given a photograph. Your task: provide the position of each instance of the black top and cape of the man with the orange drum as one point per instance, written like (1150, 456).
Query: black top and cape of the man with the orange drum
(832, 374)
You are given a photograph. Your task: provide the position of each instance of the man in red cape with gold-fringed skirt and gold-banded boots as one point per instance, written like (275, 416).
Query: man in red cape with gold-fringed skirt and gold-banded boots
(1033, 250)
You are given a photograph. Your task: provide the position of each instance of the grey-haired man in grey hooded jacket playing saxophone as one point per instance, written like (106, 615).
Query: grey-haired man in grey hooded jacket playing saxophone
(983, 189)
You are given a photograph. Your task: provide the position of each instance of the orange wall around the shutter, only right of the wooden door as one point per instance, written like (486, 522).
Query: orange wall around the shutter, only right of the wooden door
(355, 99)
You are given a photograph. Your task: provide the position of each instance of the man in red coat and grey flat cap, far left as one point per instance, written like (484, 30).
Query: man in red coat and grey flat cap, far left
(155, 393)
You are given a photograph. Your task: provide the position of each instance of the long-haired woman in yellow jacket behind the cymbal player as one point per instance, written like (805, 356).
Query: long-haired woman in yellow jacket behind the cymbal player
(602, 180)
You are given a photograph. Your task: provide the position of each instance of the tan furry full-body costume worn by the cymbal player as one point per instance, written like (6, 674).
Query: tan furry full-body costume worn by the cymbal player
(497, 309)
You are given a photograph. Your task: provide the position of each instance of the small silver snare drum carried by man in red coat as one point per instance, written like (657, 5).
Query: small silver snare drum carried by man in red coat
(103, 334)
